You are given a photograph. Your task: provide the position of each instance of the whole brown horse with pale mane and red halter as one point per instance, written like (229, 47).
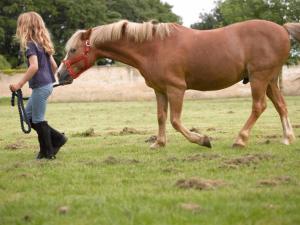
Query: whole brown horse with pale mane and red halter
(173, 58)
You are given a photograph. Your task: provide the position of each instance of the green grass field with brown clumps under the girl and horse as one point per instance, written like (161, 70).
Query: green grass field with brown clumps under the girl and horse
(111, 177)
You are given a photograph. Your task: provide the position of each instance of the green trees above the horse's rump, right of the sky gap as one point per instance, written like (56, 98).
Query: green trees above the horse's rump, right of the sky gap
(232, 11)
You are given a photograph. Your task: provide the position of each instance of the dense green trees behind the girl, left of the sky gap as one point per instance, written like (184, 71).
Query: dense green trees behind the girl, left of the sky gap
(64, 17)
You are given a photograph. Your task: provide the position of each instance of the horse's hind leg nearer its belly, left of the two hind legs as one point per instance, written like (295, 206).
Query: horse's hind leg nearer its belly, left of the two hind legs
(258, 82)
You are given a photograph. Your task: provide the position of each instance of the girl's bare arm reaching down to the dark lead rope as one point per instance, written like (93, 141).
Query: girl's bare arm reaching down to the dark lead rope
(31, 71)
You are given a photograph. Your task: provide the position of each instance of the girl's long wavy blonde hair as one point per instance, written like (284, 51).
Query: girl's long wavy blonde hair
(31, 27)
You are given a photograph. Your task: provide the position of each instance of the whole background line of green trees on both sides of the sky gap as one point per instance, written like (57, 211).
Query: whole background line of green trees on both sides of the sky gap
(64, 17)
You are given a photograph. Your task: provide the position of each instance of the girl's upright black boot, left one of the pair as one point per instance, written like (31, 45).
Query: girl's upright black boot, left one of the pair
(44, 136)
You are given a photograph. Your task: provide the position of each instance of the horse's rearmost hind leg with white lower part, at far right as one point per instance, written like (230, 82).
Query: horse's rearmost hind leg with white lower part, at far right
(276, 97)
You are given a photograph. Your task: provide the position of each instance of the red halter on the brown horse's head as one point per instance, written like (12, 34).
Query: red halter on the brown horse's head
(83, 57)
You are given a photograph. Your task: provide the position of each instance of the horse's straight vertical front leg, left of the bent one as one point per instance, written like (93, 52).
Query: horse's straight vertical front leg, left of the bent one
(162, 113)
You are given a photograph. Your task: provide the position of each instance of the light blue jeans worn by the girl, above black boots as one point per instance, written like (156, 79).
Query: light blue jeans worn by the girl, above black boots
(36, 105)
